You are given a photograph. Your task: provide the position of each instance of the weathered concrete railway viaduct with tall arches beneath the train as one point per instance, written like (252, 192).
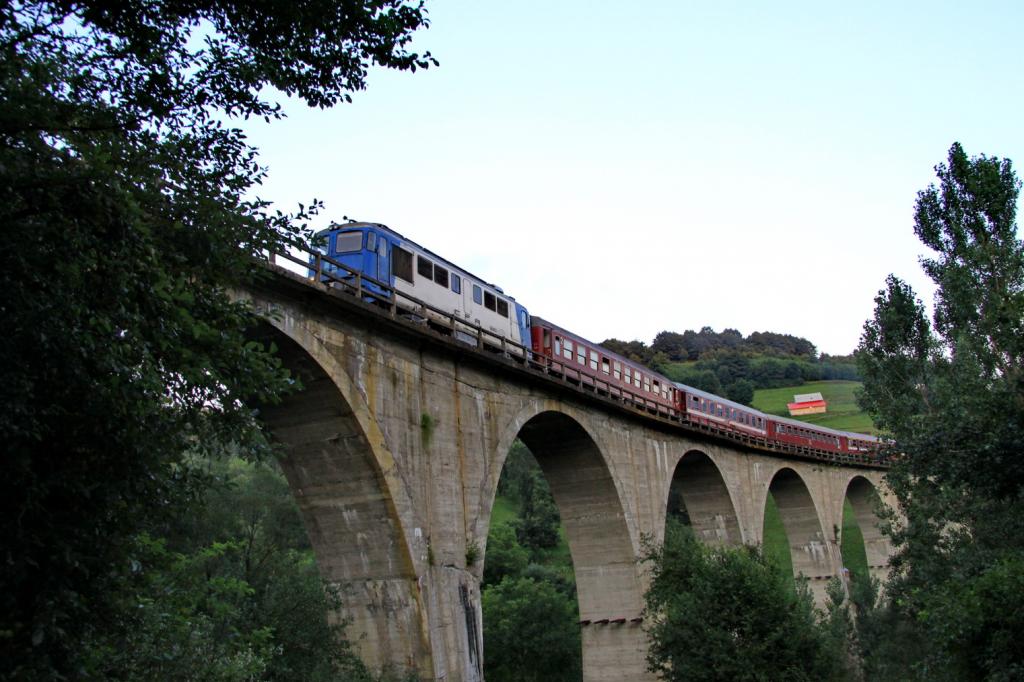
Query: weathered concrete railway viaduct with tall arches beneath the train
(394, 451)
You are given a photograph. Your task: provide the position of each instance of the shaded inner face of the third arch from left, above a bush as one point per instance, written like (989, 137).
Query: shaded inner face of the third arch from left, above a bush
(699, 488)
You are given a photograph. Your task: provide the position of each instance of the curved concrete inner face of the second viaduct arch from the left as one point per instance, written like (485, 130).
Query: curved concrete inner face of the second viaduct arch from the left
(604, 559)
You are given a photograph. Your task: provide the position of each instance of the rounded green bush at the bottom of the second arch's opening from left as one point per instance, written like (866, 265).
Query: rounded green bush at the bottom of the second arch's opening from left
(531, 633)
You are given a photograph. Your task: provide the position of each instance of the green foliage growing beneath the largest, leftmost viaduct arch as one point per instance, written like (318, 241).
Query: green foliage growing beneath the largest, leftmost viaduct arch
(232, 594)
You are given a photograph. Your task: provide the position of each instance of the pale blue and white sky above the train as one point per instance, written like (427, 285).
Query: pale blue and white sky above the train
(625, 168)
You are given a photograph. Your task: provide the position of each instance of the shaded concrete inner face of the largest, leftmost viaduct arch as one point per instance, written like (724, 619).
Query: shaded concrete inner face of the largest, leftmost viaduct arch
(349, 509)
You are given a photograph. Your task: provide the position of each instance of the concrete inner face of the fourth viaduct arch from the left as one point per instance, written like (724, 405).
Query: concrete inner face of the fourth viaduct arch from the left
(809, 547)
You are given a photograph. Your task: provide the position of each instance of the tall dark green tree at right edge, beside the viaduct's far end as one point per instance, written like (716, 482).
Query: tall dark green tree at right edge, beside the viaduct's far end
(951, 395)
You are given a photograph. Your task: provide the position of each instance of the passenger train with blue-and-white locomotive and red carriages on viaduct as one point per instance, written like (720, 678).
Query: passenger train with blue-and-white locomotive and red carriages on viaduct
(387, 263)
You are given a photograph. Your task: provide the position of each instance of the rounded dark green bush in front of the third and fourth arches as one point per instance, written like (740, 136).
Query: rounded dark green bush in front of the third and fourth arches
(722, 614)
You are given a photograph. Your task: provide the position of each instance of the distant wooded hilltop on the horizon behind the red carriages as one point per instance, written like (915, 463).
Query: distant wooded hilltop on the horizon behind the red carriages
(730, 365)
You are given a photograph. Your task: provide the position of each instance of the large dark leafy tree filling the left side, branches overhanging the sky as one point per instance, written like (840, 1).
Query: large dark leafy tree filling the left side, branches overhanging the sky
(124, 198)
